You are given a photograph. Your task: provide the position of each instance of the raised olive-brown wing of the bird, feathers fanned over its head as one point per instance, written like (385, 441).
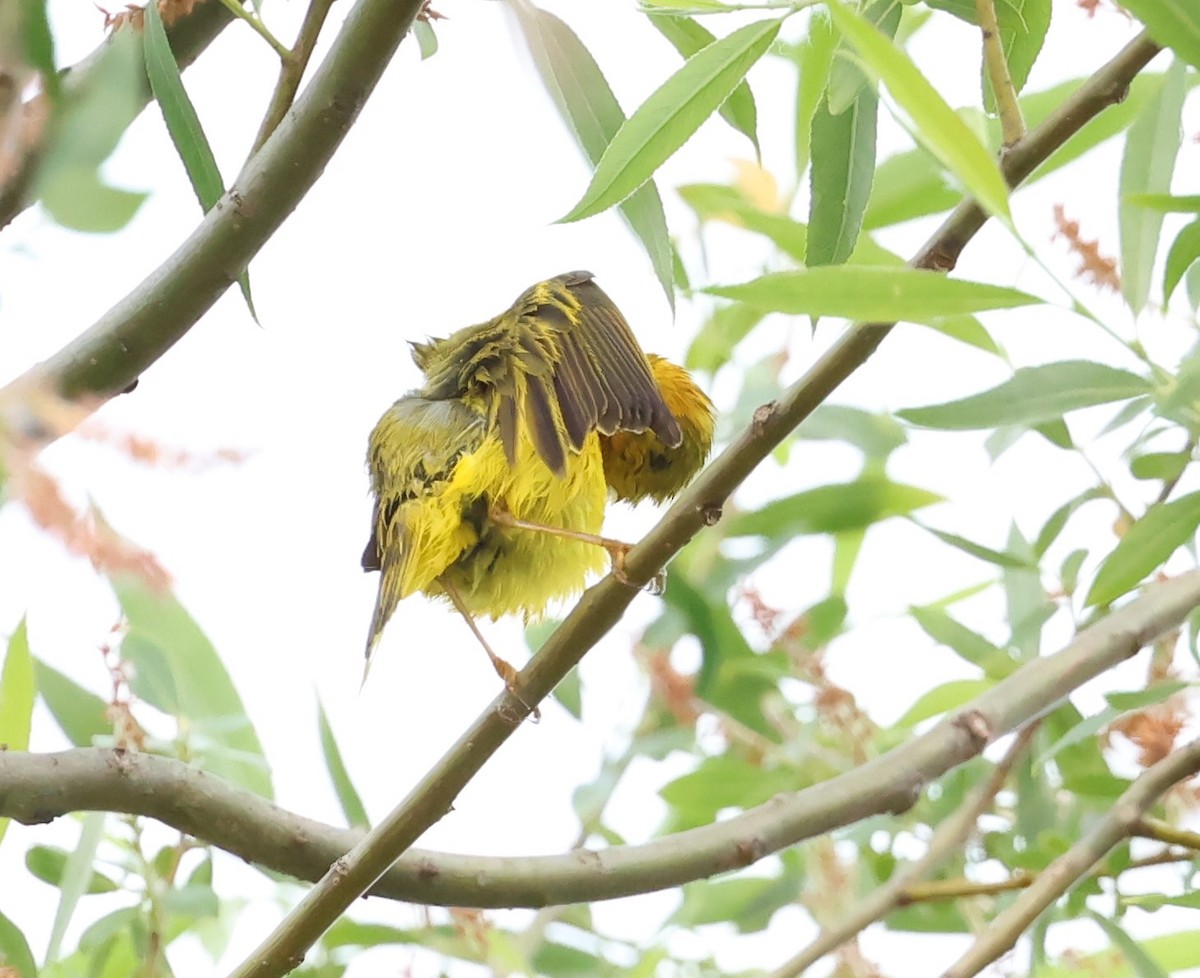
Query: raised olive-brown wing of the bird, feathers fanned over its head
(562, 362)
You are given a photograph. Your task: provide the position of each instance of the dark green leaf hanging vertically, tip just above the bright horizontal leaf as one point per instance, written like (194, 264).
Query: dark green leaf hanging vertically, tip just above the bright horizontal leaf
(843, 171)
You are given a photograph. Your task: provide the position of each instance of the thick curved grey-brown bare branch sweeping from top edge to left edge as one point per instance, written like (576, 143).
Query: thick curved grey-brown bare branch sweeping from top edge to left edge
(159, 313)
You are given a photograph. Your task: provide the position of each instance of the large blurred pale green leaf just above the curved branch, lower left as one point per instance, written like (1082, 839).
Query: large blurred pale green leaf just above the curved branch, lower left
(178, 671)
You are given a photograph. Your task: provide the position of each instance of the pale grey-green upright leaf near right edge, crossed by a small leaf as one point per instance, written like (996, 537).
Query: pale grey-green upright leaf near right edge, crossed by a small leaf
(1151, 147)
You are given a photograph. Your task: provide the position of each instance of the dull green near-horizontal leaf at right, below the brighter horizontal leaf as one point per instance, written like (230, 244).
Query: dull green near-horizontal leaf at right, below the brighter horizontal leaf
(1031, 397)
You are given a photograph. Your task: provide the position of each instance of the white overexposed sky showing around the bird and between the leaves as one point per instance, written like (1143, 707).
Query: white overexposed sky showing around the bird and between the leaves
(437, 213)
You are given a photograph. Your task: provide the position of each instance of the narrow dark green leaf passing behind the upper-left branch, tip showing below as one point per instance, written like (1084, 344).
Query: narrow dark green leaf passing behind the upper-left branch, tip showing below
(184, 125)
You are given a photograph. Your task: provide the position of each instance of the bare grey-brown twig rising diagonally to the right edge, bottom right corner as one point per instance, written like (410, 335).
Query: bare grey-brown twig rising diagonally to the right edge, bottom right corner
(1120, 823)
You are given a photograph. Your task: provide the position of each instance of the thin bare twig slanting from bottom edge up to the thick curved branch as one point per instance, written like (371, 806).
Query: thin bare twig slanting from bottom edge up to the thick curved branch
(946, 842)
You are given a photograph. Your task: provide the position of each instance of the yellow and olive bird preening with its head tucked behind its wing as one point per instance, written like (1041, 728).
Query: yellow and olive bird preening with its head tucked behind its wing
(490, 482)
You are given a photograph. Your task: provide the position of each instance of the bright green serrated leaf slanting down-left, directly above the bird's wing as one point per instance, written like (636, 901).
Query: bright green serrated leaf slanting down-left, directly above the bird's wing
(671, 115)
